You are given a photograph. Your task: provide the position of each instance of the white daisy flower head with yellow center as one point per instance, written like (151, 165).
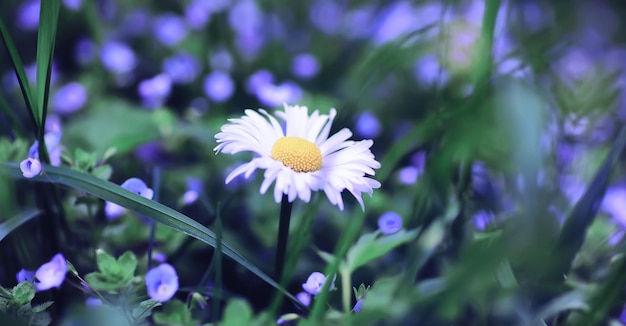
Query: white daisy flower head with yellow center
(301, 158)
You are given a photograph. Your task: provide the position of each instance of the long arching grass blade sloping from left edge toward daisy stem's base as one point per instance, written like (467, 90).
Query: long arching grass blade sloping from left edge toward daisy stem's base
(151, 209)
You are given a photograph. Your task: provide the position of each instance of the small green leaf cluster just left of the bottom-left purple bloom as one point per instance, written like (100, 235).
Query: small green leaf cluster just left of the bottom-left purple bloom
(113, 274)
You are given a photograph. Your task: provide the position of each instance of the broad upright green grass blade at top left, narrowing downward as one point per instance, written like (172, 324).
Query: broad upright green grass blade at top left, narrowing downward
(46, 35)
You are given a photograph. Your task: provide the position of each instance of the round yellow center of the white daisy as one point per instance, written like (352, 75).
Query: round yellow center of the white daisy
(297, 153)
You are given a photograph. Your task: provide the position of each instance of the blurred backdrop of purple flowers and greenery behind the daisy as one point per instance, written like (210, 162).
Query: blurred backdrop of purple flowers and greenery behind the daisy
(511, 120)
